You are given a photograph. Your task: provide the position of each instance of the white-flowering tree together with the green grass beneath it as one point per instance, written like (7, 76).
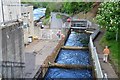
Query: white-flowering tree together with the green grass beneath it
(108, 17)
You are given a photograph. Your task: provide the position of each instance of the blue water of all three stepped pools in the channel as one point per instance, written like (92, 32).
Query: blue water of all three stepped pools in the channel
(73, 57)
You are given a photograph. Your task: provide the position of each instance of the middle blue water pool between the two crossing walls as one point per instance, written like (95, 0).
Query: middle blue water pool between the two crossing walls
(81, 57)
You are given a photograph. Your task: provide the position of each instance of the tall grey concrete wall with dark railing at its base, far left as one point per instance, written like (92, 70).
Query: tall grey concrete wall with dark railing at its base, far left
(12, 50)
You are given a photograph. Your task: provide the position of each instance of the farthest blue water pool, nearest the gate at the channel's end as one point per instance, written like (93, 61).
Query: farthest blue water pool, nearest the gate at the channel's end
(77, 39)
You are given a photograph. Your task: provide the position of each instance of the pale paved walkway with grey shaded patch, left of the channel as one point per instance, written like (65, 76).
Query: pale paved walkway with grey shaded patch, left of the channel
(35, 54)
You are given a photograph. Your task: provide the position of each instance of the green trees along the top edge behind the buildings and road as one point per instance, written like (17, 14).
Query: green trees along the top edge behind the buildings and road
(66, 7)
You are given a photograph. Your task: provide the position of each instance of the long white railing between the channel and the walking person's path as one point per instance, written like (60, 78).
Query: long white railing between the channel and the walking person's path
(98, 69)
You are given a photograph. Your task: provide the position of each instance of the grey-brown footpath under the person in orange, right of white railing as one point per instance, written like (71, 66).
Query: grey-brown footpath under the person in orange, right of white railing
(106, 67)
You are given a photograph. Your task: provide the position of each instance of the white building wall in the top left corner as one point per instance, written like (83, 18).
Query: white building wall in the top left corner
(11, 10)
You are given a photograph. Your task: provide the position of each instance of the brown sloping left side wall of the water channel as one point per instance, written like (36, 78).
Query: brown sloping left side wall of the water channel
(51, 58)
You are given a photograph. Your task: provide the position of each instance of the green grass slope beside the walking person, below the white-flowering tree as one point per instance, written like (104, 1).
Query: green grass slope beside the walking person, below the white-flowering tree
(114, 55)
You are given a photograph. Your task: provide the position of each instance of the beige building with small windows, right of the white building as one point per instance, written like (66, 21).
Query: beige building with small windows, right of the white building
(27, 17)
